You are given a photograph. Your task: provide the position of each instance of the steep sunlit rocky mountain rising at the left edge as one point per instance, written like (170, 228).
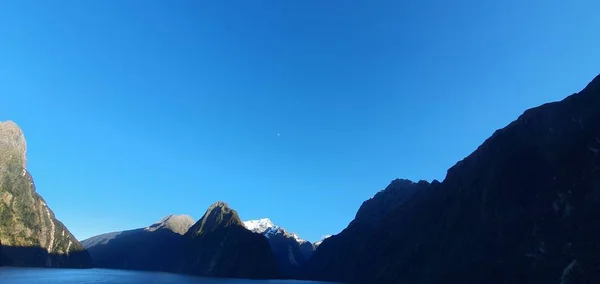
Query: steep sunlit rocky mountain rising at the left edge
(30, 235)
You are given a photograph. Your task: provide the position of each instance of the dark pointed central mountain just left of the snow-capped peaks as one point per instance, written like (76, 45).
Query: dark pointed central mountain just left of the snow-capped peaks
(219, 245)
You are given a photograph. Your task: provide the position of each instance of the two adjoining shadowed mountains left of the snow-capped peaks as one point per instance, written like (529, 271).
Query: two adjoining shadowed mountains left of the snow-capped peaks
(217, 245)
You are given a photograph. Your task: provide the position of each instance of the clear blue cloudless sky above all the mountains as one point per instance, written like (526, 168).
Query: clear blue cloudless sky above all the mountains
(133, 110)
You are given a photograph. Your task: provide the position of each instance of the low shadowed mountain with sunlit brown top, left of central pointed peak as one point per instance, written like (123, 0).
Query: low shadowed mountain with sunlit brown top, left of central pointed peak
(151, 248)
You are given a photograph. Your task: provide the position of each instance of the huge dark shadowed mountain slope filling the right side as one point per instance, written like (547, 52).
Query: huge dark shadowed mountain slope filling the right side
(522, 208)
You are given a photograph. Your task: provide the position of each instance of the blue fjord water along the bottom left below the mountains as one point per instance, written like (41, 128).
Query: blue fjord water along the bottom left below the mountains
(110, 276)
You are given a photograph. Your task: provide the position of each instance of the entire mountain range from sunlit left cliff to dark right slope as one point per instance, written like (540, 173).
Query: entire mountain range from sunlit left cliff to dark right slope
(522, 208)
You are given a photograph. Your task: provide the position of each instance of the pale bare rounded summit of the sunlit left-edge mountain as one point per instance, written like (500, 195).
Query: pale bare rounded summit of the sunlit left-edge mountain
(12, 143)
